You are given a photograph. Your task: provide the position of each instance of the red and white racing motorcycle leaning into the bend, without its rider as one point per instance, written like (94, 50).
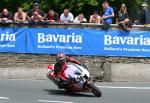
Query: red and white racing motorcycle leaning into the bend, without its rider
(79, 79)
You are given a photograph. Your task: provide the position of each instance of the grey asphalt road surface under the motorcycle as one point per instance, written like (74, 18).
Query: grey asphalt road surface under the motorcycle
(44, 91)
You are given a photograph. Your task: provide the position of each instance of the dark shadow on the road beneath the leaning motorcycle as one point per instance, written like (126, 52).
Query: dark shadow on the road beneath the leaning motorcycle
(63, 92)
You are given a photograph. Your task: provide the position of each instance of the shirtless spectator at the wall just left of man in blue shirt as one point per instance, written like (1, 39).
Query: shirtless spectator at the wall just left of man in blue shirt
(95, 18)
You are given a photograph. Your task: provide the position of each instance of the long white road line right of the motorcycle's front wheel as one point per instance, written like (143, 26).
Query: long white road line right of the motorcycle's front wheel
(117, 87)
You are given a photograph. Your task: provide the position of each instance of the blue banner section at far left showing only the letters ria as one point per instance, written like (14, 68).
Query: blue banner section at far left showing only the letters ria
(13, 40)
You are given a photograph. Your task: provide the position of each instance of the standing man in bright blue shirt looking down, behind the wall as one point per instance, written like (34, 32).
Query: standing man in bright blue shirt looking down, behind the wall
(108, 13)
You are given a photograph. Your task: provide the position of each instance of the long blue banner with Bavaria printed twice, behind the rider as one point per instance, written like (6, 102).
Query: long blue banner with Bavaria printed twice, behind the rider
(76, 41)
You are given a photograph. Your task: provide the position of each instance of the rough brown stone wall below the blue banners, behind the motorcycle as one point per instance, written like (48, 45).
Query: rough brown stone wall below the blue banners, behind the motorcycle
(94, 63)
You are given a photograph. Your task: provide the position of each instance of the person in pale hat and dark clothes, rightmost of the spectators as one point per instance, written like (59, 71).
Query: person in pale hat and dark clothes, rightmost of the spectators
(145, 14)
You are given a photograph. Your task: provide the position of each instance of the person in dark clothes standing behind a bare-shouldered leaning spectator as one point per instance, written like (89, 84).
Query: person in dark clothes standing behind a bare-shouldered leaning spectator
(35, 9)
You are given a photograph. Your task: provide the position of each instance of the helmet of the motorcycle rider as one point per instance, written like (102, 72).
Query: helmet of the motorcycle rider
(60, 58)
